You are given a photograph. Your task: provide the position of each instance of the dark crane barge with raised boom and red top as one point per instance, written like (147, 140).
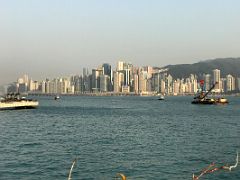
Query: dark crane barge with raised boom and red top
(201, 98)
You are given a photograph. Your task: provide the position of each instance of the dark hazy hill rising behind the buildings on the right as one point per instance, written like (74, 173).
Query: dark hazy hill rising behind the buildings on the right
(226, 65)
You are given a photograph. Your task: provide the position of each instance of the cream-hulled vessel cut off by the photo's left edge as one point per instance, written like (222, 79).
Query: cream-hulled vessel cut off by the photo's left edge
(15, 101)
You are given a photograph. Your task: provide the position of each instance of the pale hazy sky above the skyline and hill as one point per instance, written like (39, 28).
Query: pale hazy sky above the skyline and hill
(52, 38)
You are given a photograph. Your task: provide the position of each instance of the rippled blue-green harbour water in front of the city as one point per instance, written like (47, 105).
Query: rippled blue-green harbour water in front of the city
(139, 136)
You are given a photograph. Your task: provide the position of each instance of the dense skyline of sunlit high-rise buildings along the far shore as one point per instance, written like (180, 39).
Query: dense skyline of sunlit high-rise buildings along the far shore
(127, 79)
